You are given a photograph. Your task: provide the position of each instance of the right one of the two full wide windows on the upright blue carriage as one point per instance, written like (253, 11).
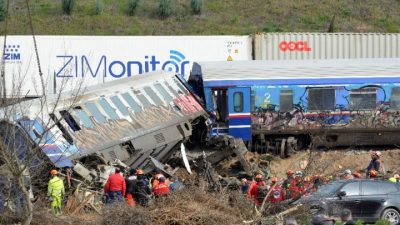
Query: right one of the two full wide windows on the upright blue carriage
(362, 99)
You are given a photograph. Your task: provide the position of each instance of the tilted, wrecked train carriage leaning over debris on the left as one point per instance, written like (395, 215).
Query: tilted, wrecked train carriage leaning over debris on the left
(125, 121)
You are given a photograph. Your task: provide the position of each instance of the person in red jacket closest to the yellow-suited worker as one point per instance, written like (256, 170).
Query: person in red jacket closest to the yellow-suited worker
(115, 187)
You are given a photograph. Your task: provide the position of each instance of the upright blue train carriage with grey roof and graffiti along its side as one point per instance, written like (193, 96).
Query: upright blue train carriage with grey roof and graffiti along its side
(281, 106)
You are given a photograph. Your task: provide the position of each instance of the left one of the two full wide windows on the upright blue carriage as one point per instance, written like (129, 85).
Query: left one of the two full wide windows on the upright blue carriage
(321, 99)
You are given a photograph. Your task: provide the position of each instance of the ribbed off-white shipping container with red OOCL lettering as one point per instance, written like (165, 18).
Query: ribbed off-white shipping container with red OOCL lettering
(289, 46)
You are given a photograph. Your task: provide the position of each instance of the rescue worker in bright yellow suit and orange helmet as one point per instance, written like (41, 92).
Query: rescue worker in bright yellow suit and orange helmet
(55, 192)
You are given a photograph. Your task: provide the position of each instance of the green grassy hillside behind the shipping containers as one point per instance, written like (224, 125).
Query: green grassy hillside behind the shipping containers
(236, 17)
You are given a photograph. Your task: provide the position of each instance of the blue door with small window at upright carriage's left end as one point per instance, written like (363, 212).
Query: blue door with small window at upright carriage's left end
(239, 112)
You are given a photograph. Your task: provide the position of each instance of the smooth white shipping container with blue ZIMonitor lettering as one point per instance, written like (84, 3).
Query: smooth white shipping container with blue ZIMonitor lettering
(90, 60)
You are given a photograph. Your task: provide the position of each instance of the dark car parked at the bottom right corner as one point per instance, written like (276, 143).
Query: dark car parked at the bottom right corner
(368, 200)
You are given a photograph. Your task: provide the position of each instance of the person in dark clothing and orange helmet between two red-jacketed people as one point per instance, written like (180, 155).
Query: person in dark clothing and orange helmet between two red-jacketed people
(141, 189)
